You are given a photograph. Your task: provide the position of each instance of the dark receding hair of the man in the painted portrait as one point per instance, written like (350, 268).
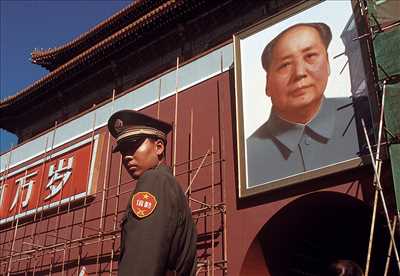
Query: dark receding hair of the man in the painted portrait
(323, 30)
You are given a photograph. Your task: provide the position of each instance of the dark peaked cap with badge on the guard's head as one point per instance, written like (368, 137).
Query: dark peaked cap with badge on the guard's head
(130, 126)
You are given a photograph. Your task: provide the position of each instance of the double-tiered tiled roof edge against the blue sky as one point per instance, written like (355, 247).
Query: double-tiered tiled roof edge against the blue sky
(94, 42)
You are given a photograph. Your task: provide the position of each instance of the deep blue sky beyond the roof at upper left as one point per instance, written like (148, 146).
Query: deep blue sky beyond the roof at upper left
(26, 25)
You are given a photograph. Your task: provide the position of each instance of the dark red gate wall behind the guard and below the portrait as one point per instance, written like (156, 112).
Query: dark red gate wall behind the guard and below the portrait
(227, 232)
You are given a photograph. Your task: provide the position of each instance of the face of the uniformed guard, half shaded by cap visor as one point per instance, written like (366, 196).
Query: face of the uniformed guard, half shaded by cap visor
(141, 155)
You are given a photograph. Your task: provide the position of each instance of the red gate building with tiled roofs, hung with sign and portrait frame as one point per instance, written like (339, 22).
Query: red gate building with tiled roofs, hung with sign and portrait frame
(63, 192)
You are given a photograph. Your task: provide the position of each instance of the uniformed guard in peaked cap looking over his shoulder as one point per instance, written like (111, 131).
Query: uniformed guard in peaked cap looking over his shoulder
(158, 233)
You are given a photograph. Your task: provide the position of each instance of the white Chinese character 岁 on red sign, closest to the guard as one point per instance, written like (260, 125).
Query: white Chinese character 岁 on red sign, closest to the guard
(58, 178)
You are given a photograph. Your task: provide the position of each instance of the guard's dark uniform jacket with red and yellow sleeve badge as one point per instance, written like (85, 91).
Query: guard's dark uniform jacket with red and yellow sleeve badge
(166, 238)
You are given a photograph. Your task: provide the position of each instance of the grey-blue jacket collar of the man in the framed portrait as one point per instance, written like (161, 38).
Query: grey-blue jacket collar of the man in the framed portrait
(290, 134)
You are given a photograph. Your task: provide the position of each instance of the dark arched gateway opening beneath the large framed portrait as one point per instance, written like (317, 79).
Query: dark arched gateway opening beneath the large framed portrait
(305, 236)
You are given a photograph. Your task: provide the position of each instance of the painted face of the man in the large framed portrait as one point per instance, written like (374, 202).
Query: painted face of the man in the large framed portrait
(298, 73)
